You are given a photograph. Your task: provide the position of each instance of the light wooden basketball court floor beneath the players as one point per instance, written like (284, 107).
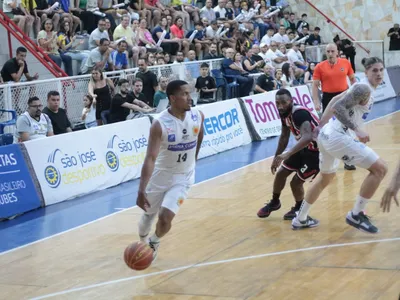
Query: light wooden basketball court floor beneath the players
(219, 249)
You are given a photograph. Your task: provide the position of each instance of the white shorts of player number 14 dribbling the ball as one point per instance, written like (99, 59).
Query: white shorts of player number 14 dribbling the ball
(168, 190)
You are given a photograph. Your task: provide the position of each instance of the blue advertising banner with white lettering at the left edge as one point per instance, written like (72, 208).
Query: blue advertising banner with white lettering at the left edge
(17, 191)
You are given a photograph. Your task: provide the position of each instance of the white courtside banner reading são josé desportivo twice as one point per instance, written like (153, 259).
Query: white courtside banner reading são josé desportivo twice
(73, 164)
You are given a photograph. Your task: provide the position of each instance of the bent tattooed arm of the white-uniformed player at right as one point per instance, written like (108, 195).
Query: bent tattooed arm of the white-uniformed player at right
(358, 94)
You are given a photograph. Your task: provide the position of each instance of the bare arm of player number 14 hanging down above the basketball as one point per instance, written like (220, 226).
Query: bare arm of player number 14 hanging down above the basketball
(153, 149)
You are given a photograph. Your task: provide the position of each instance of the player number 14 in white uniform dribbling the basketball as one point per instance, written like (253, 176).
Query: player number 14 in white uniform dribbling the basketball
(169, 167)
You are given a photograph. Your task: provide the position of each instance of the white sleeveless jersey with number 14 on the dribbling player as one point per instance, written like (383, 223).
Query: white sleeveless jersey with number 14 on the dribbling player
(179, 141)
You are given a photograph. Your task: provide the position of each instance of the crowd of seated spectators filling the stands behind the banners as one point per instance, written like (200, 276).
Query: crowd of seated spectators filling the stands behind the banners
(261, 45)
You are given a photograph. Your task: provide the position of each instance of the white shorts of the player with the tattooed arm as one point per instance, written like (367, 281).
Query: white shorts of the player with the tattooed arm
(335, 146)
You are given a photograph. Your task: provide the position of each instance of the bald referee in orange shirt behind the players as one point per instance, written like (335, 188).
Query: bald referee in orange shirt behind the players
(332, 75)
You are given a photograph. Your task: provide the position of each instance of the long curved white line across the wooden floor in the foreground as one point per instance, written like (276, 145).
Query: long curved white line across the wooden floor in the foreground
(218, 262)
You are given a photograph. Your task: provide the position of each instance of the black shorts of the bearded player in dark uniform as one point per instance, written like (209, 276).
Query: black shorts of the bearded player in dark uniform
(305, 163)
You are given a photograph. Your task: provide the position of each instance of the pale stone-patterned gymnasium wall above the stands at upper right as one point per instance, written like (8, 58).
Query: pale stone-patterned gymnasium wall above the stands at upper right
(362, 19)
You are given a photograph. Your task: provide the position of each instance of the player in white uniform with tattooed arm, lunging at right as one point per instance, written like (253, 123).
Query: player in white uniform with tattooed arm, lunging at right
(336, 141)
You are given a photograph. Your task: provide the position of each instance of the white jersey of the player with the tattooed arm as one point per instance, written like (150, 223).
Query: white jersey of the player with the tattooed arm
(357, 114)
